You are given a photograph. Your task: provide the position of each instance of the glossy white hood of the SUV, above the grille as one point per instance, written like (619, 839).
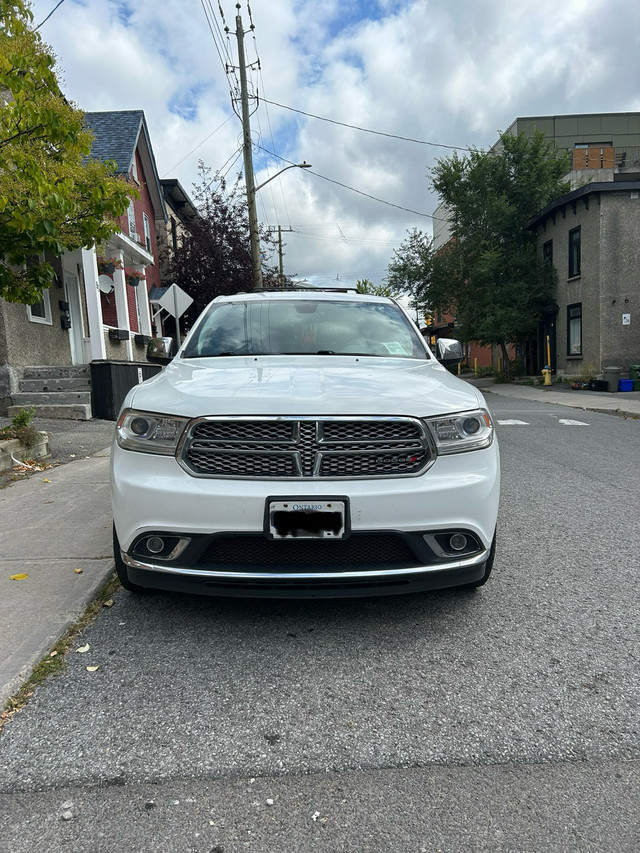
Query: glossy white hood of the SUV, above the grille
(303, 385)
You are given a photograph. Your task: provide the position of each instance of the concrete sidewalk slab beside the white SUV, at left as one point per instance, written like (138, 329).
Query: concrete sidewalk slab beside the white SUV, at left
(52, 523)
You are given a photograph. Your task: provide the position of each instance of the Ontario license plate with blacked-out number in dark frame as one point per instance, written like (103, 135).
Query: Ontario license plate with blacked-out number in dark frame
(306, 519)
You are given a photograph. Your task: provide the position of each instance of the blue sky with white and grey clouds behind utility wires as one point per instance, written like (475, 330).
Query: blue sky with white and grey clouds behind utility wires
(421, 79)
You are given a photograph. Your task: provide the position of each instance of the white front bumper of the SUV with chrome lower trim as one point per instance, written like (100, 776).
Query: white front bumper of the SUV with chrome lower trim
(391, 546)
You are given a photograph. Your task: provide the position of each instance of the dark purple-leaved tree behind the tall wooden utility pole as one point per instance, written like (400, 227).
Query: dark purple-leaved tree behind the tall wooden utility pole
(214, 256)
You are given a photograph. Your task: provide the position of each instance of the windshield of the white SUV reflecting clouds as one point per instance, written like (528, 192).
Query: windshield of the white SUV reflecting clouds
(305, 327)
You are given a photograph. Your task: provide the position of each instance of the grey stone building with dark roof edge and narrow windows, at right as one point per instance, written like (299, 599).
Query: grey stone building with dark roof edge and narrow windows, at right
(591, 236)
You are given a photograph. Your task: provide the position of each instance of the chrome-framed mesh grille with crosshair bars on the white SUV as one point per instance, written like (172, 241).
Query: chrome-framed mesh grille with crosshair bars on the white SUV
(305, 448)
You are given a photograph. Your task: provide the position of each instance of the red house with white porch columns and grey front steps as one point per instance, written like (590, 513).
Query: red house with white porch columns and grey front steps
(88, 317)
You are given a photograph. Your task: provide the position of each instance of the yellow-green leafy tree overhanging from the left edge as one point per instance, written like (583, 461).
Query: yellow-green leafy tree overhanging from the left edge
(53, 197)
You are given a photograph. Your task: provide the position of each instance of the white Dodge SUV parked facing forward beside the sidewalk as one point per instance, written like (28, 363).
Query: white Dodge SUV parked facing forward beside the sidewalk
(304, 444)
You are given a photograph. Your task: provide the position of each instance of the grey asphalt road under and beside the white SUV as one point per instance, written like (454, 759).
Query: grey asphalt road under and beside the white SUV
(502, 719)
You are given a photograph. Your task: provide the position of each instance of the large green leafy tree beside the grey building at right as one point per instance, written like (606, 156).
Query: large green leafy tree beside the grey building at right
(490, 274)
